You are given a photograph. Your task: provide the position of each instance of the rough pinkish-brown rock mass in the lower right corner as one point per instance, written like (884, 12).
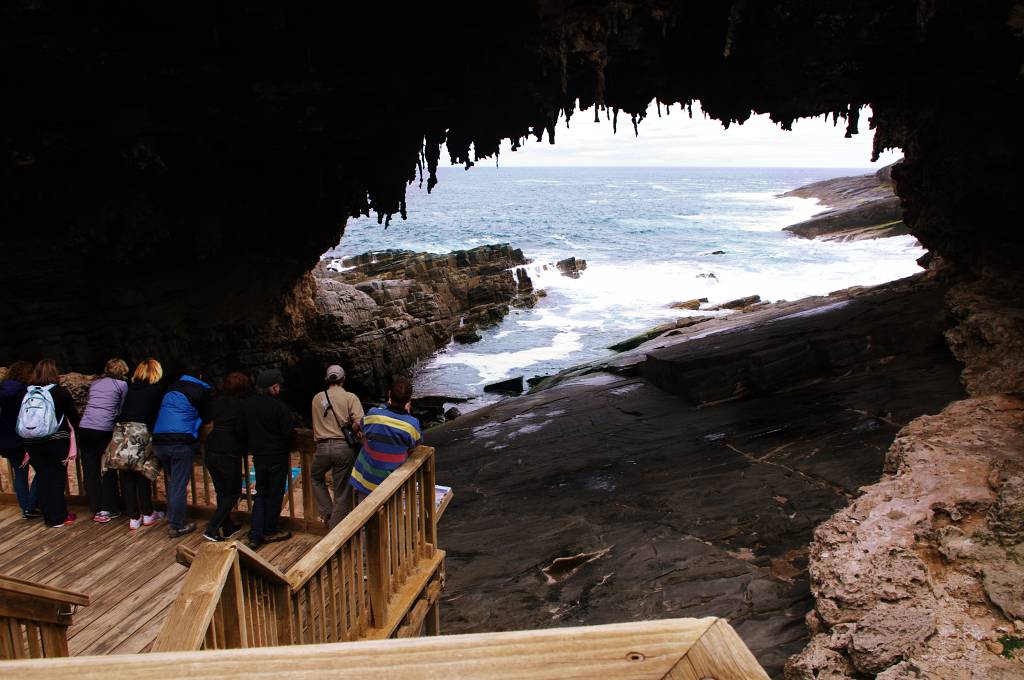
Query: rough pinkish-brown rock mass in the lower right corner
(921, 577)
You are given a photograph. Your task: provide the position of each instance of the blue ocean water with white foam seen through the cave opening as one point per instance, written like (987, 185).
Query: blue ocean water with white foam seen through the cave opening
(648, 236)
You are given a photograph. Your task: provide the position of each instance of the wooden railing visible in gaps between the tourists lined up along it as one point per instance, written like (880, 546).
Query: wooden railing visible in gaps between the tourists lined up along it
(298, 513)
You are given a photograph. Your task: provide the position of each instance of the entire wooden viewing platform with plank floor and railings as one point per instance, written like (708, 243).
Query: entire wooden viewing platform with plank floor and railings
(334, 606)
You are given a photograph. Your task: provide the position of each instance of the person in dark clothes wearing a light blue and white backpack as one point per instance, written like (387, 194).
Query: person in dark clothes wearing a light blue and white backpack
(47, 423)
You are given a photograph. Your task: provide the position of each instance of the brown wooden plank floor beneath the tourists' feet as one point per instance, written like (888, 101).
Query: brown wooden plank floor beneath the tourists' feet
(131, 576)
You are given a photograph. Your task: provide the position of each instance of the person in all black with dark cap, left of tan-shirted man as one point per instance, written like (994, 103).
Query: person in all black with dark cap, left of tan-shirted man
(271, 429)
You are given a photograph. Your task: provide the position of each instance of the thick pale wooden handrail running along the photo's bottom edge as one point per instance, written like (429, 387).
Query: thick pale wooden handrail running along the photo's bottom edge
(677, 649)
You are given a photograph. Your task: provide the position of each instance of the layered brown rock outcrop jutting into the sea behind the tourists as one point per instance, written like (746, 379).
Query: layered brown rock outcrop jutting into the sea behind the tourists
(379, 314)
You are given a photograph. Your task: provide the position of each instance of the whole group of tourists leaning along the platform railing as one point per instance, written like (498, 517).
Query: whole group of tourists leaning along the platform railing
(131, 432)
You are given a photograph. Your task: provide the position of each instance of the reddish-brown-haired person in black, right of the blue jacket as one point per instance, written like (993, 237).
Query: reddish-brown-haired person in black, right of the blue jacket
(226, 446)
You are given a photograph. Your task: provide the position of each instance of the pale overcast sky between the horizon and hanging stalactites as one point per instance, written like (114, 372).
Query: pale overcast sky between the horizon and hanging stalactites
(678, 141)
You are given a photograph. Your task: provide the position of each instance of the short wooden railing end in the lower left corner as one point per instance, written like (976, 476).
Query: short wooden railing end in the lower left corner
(34, 620)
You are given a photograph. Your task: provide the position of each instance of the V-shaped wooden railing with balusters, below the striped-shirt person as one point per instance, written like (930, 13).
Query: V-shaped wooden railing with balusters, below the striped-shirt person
(376, 575)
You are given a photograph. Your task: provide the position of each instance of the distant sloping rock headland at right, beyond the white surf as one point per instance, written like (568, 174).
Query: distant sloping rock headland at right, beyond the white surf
(859, 208)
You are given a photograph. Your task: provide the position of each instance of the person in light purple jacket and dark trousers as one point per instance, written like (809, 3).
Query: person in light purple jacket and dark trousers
(107, 396)
